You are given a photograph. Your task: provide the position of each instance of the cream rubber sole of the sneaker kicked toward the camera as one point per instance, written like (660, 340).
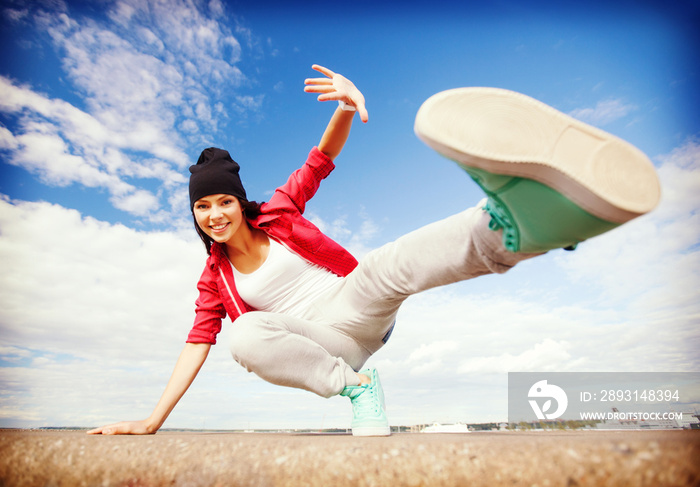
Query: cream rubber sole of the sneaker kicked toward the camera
(511, 134)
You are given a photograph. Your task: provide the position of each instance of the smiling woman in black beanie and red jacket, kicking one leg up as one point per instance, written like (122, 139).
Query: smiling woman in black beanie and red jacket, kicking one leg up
(307, 315)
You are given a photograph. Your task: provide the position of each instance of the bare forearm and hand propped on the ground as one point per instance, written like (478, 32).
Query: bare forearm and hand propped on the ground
(186, 369)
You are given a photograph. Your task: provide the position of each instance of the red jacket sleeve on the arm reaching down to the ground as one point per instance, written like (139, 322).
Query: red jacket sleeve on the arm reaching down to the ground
(209, 310)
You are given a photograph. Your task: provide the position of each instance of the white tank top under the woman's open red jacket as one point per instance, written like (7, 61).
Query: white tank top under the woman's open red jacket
(284, 283)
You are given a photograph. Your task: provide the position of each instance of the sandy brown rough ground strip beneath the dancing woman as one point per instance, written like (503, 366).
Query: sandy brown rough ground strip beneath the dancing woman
(550, 458)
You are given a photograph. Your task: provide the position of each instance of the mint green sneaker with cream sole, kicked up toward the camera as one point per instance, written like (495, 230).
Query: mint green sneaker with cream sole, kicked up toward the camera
(551, 180)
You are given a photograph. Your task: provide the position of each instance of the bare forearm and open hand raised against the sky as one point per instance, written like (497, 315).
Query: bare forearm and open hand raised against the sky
(336, 87)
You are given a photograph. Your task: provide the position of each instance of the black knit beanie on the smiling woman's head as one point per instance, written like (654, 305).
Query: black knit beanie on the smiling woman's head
(215, 173)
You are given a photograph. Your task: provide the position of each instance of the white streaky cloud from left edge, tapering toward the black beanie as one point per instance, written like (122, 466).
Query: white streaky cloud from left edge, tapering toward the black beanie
(74, 148)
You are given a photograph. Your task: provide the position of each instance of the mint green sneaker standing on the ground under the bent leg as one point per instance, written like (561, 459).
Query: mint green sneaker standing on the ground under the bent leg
(368, 412)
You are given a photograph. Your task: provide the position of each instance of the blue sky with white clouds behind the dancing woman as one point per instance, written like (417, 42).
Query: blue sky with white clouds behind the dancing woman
(104, 104)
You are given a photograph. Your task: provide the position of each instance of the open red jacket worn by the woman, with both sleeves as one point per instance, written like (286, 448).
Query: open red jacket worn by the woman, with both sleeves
(282, 220)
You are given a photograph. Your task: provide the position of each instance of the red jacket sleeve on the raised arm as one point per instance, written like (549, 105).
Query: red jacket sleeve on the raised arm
(303, 183)
